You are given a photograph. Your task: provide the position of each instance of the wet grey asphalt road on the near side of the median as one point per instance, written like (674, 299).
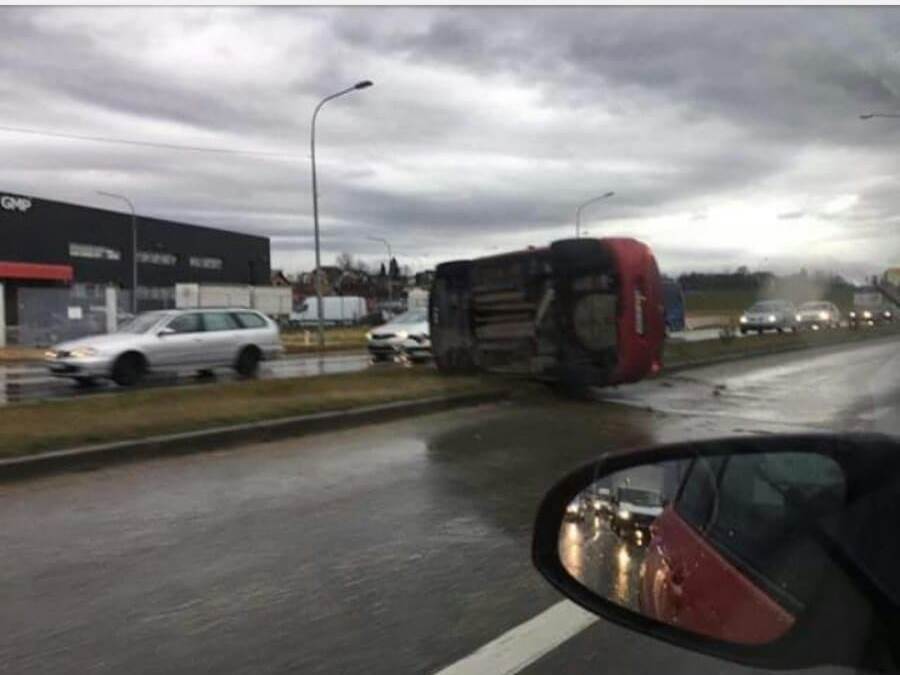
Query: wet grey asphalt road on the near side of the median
(395, 548)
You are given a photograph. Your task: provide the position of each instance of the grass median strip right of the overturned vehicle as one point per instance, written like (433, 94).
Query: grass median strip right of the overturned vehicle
(679, 353)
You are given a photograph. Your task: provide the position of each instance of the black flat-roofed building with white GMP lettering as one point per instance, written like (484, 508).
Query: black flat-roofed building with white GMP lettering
(45, 242)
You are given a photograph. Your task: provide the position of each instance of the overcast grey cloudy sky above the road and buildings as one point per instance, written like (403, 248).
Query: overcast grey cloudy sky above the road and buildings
(730, 136)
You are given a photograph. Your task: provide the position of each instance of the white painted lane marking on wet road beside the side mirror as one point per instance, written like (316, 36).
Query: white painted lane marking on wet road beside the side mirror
(521, 646)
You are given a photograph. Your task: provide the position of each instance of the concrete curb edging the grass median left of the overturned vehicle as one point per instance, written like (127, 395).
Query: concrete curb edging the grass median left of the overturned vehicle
(169, 445)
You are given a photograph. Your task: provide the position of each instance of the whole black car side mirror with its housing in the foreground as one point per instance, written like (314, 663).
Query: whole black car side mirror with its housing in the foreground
(753, 550)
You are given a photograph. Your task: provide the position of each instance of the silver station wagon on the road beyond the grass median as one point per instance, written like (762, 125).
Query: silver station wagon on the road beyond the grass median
(199, 339)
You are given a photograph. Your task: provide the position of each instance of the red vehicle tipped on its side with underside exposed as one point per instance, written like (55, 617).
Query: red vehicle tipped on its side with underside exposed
(583, 312)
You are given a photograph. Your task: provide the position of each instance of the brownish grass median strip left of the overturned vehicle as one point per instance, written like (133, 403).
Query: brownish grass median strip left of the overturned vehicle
(28, 428)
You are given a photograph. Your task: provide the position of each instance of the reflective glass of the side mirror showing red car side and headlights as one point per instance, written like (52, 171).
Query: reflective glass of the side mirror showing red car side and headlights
(723, 546)
